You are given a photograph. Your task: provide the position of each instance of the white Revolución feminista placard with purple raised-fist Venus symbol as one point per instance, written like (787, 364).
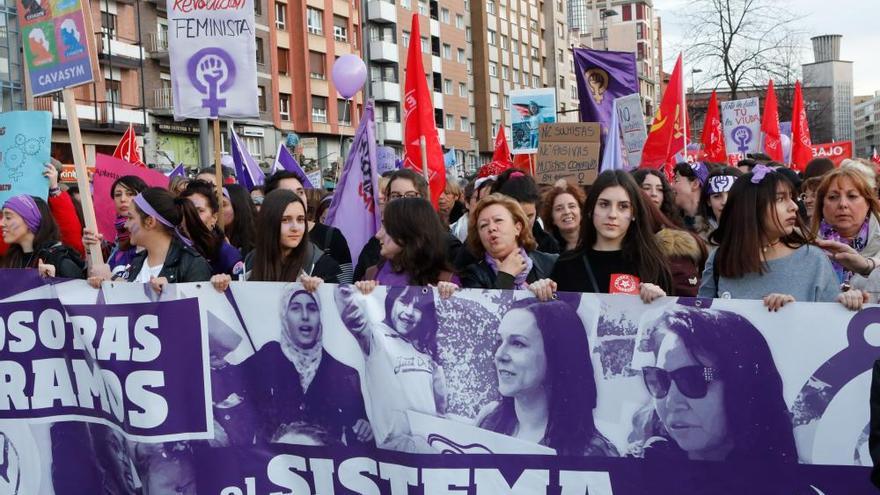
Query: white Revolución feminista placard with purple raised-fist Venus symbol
(211, 45)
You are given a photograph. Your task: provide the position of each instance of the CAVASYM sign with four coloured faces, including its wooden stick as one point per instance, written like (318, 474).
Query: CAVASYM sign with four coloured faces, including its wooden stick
(59, 55)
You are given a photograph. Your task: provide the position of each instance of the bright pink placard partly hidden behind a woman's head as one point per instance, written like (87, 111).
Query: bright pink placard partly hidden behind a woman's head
(107, 170)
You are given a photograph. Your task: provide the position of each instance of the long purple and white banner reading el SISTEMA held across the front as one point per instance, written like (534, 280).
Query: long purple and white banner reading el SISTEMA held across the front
(268, 389)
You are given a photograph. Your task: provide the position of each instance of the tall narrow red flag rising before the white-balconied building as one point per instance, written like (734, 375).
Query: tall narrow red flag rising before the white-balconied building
(419, 127)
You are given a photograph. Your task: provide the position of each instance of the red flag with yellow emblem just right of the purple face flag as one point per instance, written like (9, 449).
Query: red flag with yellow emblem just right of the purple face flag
(666, 137)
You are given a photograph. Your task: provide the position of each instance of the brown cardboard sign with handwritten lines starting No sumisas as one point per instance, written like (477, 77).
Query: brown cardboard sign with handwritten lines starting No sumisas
(568, 151)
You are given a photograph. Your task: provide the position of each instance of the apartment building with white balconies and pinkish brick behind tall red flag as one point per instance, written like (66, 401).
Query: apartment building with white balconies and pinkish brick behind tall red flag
(447, 55)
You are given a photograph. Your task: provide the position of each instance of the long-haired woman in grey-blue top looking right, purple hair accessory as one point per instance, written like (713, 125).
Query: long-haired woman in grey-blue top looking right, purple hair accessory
(762, 251)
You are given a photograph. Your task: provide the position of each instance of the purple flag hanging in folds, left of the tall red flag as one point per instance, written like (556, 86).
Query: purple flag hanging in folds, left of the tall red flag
(355, 207)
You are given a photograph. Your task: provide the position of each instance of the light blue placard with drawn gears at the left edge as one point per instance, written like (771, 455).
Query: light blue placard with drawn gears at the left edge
(25, 139)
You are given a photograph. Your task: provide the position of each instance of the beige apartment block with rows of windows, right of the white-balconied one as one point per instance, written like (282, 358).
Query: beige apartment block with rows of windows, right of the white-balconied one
(510, 53)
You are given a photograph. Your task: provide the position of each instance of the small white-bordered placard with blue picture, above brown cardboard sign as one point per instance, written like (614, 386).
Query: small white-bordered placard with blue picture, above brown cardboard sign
(529, 109)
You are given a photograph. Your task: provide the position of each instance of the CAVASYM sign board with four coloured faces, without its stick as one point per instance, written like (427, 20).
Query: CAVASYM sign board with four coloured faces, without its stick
(55, 38)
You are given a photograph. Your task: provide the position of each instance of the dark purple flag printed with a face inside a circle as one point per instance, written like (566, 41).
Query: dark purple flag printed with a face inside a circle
(602, 77)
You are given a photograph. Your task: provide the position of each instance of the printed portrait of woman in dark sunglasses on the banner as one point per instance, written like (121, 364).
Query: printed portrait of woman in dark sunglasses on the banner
(717, 394)
